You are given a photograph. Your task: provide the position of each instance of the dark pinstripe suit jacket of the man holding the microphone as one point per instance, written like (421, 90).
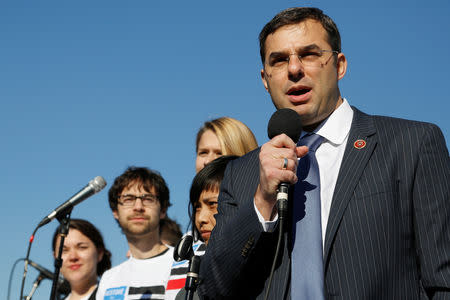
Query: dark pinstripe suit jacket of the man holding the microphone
(388, 233)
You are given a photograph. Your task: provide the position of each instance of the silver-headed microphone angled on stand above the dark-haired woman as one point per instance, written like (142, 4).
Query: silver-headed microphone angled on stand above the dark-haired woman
(94, 186)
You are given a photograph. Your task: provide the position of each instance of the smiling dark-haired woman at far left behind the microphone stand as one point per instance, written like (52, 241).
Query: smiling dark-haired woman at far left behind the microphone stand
(85, 258)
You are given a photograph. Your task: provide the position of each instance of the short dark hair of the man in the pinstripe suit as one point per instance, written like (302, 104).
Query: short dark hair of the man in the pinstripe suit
(297, 15)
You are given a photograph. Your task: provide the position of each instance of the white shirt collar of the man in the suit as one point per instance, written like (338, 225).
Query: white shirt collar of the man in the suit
(336, 127)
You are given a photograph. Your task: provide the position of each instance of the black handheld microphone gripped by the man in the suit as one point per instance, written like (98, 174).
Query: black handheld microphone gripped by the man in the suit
(285, 121)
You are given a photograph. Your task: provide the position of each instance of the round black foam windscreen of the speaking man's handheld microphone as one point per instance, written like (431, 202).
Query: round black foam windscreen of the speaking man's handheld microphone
(285, 121)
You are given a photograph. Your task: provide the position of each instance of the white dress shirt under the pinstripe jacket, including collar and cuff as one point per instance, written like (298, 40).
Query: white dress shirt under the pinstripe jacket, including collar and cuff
(335, 130)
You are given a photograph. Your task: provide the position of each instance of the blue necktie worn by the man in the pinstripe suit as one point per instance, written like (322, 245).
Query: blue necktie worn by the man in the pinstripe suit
(307, 254)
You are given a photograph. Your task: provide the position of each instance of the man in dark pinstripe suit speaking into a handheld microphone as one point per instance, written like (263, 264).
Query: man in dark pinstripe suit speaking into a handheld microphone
(384, 188)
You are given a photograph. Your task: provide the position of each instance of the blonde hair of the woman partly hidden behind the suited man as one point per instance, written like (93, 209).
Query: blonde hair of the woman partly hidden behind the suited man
(235, 137)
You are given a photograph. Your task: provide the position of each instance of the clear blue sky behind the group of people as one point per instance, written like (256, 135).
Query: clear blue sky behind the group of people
(88, 88)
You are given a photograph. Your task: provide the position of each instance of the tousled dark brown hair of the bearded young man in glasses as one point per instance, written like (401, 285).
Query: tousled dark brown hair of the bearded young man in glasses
(146, 179)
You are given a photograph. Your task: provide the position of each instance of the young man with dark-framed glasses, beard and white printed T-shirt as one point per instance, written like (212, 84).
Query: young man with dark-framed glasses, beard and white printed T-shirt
(139, 199)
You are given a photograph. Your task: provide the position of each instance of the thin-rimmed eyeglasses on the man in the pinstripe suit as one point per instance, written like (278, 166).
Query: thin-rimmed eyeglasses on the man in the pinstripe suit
(310, 58)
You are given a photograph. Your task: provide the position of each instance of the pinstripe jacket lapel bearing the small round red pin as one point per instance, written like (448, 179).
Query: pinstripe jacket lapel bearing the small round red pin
(353, 163)
